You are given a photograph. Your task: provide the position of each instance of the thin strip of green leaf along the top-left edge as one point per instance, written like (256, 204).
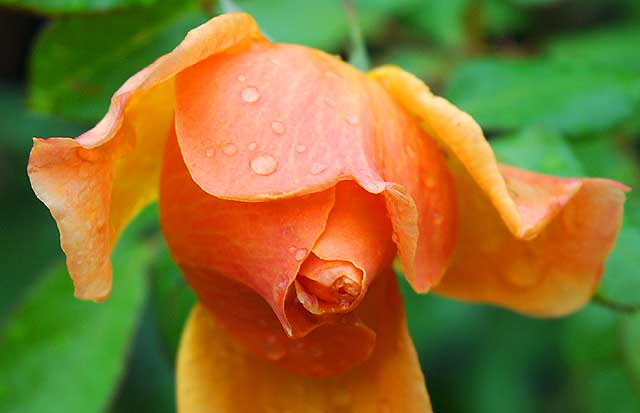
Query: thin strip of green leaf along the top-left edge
(74, 6)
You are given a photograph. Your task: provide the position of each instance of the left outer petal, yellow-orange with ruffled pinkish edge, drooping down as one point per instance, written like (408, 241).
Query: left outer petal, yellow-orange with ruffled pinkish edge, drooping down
(96, 183)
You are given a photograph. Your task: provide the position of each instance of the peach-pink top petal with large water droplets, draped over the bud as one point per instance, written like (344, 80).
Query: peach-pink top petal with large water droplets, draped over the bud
(281, 120)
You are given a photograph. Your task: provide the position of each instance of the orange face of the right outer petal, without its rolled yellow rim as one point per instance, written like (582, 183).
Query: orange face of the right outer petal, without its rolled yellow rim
(550, 275)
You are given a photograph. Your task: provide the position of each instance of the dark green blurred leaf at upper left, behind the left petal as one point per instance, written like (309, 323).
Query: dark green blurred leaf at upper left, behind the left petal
(78, 62)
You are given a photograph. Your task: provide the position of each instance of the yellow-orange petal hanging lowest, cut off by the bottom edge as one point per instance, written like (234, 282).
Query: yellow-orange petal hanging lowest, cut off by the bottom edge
(215, 374)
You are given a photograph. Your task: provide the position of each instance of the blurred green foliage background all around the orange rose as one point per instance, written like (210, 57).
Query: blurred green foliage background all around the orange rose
(555, 84)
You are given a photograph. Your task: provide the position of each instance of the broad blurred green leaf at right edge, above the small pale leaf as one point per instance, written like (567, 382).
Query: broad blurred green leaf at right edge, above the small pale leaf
(565, 95)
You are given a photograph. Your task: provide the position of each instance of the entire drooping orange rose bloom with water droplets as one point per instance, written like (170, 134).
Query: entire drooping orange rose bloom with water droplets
(288, 181)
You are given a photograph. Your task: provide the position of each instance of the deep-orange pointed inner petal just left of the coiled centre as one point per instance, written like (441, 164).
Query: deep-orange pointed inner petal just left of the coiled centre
(258, 244)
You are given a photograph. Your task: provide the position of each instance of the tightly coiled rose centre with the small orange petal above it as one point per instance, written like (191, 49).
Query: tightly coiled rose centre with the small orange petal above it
(354, 248)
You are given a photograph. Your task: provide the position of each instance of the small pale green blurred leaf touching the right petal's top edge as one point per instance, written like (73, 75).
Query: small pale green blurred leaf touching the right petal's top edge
(538, 150)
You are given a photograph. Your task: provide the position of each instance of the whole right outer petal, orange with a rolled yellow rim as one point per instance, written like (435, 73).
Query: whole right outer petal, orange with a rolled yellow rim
(529, 242)
